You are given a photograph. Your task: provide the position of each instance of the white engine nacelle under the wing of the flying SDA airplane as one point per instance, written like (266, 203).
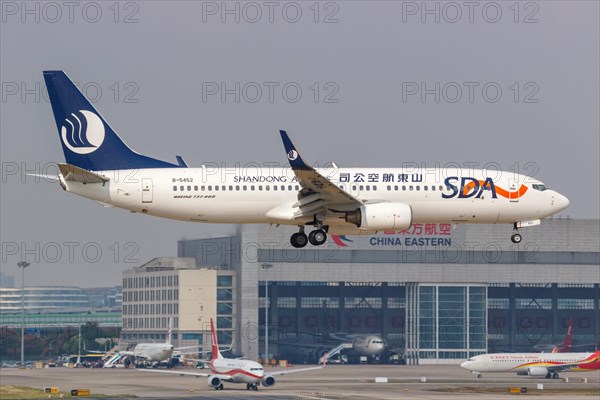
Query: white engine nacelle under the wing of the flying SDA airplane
(381, 216)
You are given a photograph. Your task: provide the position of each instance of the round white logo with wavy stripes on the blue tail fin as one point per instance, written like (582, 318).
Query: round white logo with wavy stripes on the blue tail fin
(82, 132)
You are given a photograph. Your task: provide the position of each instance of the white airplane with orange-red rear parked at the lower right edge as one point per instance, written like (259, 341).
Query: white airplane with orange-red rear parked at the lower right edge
(533, 364)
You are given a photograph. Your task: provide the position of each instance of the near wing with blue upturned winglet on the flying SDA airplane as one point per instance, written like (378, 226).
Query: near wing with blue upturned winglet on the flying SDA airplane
(319, 193)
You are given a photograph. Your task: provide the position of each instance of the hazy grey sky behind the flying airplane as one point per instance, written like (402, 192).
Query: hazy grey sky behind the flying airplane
(515, 86)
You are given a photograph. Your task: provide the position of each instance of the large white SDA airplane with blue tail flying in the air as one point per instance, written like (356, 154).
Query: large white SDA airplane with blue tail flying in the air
(338, 201)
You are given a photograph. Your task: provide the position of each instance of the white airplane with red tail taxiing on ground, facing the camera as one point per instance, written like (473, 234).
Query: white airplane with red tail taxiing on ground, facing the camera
(235, 370)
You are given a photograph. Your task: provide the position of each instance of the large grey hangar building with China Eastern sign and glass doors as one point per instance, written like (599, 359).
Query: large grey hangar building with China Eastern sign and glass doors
(435, 292)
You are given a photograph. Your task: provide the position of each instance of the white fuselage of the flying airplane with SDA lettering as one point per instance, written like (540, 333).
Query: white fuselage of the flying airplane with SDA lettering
(267, 195)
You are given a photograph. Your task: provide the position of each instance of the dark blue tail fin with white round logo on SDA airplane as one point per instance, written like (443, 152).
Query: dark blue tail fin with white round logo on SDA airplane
(87, 140)
